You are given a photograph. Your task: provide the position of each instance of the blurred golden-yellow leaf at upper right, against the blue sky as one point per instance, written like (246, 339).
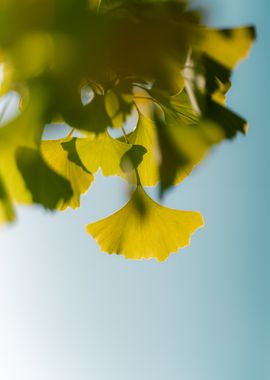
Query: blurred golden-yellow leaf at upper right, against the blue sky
(227, 46)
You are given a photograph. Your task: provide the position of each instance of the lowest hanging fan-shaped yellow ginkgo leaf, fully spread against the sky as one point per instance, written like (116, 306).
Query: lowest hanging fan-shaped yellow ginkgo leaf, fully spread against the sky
(143, 229)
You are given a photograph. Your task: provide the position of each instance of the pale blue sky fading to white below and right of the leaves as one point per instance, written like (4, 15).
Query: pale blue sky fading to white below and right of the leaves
(69, 312)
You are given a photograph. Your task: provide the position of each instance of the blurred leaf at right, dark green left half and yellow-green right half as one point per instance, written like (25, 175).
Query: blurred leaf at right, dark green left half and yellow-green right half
(183, 146)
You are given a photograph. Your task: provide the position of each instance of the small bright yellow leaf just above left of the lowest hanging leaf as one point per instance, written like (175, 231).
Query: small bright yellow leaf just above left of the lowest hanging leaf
(103, 152)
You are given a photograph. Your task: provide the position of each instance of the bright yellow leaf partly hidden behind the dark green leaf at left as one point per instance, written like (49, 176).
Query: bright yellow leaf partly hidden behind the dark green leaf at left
(56, 158)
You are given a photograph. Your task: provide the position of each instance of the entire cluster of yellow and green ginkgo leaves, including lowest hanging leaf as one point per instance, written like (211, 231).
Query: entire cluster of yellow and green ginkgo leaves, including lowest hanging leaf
(94, 66)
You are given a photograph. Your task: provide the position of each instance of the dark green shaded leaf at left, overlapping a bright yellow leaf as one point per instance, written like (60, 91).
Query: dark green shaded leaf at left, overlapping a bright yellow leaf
(46, 186)
